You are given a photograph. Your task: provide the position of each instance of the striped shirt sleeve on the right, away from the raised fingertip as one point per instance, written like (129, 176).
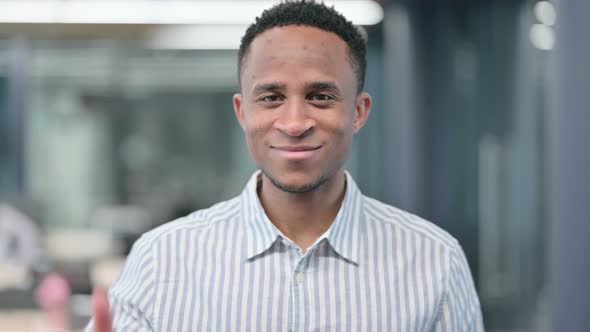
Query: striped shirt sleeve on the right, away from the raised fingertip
(460, 308)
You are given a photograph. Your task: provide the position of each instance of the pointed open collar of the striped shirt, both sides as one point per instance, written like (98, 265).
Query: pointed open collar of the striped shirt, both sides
(344, 235)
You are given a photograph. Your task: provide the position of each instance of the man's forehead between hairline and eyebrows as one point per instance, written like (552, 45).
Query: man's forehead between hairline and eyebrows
(296, 51)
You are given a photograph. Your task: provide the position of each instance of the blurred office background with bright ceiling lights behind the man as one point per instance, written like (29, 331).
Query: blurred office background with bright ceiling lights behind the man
(117, 120)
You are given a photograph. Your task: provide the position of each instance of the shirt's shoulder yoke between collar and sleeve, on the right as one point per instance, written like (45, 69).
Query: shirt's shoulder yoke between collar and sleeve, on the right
(403, 222)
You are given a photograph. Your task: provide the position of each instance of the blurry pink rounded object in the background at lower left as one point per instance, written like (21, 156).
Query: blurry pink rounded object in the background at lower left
(53, 296)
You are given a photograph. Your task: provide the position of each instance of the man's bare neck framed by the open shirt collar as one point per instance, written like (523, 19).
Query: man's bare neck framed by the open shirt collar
(303, 217)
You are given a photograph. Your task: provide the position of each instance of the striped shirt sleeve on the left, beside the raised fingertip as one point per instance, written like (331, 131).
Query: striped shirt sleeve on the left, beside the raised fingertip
(131, 298)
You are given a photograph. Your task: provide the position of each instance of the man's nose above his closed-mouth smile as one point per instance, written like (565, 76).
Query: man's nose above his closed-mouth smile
(294, 120)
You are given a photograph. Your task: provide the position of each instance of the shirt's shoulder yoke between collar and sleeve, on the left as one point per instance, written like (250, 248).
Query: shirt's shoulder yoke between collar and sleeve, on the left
(197, 222)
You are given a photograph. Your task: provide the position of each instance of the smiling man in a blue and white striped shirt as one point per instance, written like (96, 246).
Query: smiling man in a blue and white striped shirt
(301, 248)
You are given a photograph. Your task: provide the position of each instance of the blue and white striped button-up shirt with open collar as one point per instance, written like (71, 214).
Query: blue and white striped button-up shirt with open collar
(228, 268)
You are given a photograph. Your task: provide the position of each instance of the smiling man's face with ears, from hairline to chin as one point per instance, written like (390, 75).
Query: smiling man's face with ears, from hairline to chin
(299, 106)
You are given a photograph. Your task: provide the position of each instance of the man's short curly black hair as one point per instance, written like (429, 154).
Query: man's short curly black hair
(312, 14)
